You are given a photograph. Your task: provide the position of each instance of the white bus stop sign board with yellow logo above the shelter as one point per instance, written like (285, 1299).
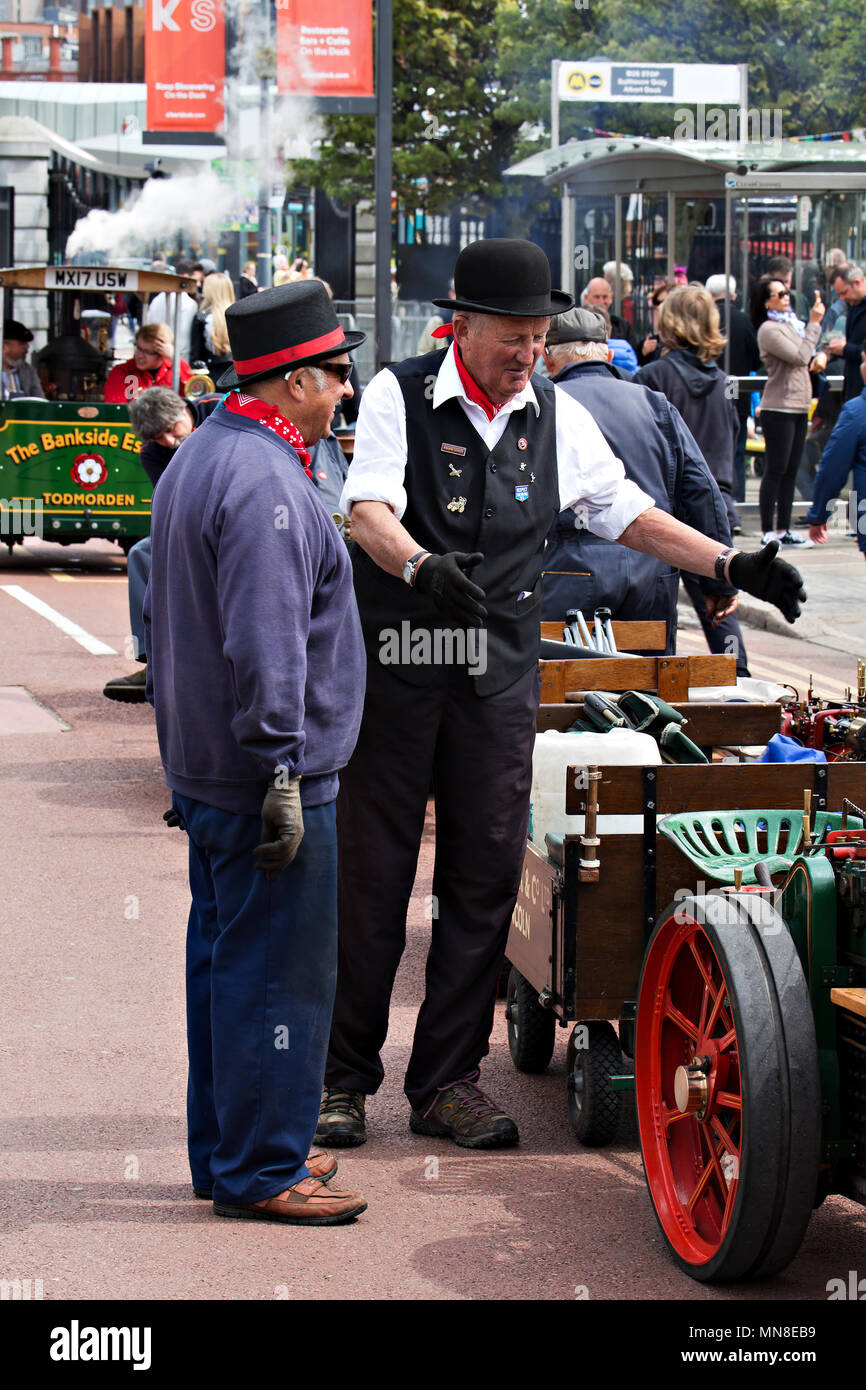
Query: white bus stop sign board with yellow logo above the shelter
(650, 83)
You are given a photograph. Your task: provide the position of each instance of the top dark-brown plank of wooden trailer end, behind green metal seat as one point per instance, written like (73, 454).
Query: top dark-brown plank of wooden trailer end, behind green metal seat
(721, 787)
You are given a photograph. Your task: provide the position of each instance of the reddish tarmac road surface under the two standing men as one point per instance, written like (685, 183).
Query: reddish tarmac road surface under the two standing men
(95, 1189)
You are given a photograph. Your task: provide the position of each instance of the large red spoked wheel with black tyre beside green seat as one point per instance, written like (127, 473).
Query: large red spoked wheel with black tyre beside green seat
(728, 1088)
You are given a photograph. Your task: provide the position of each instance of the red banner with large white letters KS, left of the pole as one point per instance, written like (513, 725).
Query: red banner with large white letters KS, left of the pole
(186, 65)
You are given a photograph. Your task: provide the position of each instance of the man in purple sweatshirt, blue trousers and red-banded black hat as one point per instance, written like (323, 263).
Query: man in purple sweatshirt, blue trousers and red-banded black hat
(256, 667)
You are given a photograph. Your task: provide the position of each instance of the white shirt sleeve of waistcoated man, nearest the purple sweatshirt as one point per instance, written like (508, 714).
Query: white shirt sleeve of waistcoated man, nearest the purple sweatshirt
(379, 466)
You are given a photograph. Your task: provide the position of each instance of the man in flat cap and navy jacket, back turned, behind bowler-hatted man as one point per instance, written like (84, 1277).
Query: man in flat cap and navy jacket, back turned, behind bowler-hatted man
(660, 454)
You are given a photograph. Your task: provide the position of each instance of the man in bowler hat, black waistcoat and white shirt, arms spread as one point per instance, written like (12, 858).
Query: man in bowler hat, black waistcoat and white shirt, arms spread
(462, 462)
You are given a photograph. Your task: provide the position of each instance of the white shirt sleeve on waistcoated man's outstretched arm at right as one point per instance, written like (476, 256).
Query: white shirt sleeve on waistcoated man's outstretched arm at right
(591, 479)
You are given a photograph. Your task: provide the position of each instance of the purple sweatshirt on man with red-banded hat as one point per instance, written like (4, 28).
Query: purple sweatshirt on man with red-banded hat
(254, 639)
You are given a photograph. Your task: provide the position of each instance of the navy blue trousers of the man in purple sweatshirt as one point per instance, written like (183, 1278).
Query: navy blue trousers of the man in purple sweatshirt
(261, 979)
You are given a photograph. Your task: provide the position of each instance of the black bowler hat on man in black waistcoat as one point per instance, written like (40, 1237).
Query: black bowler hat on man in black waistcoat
(505, 276)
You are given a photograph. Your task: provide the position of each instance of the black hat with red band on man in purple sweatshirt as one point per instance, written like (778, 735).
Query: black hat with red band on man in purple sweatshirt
(281, 329)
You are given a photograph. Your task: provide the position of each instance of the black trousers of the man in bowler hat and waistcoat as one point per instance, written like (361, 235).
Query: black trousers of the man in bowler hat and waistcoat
(479, 754)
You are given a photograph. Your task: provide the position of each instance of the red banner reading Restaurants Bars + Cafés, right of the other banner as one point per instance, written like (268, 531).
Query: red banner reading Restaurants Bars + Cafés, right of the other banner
(325, 48)
